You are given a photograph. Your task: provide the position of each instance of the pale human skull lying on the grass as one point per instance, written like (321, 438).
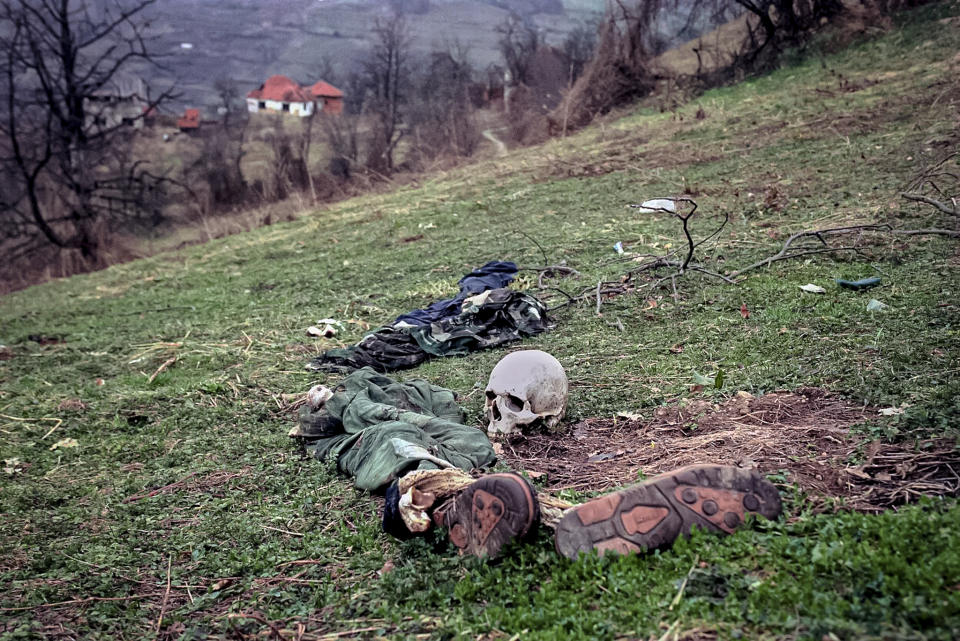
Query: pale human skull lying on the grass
(525, 387)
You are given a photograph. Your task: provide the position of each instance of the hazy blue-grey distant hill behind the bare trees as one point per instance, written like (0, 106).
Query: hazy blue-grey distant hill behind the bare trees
(201, 41)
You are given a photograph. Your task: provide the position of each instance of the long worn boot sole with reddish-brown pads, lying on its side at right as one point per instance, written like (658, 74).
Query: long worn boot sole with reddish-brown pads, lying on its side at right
(653, 514)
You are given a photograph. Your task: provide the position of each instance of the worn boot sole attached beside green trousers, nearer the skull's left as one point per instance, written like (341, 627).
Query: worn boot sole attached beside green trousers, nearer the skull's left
(490, 512)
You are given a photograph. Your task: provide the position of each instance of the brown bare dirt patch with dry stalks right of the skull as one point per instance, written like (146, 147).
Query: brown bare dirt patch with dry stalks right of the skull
(803, 435)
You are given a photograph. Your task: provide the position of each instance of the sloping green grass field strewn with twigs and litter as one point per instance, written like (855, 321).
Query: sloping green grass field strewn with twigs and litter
(149, 489)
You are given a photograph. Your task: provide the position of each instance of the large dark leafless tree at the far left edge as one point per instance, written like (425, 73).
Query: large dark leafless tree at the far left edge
(62, 63)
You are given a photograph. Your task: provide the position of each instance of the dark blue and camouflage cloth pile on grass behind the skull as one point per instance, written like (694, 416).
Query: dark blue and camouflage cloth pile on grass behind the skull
(484, 314)
